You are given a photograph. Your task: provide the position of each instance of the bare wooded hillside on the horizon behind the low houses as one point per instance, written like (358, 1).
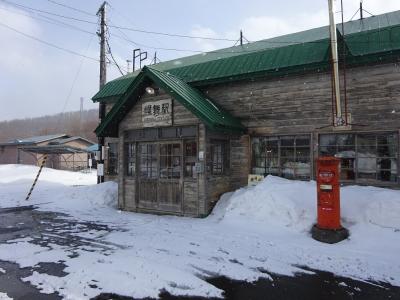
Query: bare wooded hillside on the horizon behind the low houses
(72, 123)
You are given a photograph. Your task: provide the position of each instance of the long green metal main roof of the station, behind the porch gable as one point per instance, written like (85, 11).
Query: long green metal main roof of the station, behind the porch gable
(302, 51)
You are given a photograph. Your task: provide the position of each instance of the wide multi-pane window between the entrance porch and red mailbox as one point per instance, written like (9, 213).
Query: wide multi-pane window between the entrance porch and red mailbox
(286, 156)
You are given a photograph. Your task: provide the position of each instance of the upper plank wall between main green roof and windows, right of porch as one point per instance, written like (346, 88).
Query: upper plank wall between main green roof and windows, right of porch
(303, 103)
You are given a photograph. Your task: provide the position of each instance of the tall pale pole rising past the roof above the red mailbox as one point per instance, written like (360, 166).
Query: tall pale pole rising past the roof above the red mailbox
(335, 64)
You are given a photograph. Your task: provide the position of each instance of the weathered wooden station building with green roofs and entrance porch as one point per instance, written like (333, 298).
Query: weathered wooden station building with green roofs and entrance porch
(181, 133)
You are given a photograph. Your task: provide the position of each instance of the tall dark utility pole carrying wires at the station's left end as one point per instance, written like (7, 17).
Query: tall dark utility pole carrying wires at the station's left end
(103, 79)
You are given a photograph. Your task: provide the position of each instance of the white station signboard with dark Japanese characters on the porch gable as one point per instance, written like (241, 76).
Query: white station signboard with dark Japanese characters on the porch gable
(157, 113)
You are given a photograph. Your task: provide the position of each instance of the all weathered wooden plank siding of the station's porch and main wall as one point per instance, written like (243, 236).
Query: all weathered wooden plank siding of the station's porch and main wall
(279, 106)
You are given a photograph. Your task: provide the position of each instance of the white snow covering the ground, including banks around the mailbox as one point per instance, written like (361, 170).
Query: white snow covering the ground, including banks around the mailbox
(251, 231)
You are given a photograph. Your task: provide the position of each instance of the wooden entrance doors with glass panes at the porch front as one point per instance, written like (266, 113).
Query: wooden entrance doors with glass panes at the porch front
(160, 176)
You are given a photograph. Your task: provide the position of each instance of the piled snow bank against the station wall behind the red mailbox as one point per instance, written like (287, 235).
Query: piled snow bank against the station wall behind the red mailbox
(292, 204)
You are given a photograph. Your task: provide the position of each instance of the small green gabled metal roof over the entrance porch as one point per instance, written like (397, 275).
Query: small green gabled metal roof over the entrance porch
(211, 115)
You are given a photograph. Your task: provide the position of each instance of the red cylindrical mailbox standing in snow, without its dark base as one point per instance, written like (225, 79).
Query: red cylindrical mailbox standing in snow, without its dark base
(328, 192)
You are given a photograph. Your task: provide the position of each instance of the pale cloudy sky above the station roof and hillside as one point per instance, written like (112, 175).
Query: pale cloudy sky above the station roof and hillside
(36, 79)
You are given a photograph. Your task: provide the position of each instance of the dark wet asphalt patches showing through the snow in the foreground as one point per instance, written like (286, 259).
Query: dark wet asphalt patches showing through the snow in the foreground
(43, 228)
